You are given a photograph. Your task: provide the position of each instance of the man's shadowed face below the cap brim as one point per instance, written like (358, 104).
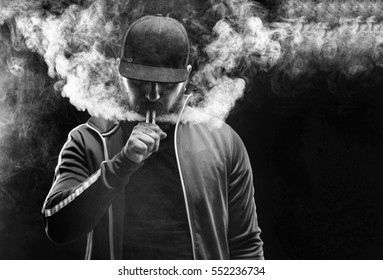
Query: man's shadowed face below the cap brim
(165, 98)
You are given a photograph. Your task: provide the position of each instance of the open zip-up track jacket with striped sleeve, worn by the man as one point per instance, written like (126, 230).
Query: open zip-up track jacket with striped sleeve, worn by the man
(87, 196)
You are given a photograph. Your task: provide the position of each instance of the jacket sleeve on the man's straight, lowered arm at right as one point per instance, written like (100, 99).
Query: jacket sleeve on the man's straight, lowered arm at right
(244, 232)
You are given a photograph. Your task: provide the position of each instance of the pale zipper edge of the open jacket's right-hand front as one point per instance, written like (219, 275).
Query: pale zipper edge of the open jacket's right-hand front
(182, 179)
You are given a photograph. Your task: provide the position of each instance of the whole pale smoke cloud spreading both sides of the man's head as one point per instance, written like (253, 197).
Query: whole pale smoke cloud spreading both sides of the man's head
(79, 42)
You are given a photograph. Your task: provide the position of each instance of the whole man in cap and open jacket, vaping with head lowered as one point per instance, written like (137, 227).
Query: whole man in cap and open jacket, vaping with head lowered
(141, 190)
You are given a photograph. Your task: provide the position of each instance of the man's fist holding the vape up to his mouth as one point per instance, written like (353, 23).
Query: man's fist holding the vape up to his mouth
(143, 141)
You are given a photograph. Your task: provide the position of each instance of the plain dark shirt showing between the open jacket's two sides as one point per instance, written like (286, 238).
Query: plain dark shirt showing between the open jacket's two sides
(155, 222)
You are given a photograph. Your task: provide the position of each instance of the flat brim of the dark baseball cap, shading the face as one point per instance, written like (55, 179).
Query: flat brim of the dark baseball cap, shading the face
(151, 73)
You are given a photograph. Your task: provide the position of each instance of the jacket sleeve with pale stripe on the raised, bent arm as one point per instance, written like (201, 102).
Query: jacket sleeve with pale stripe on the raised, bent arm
(78, 199)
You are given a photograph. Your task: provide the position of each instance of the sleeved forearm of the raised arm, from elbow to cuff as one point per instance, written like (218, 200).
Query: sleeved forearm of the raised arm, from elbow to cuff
(73, 209)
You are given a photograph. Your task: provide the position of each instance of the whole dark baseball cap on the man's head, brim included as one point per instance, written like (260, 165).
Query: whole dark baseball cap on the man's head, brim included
(155, 48)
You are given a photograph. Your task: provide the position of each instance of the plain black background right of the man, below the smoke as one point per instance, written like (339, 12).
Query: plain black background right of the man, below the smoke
(317, 159)
